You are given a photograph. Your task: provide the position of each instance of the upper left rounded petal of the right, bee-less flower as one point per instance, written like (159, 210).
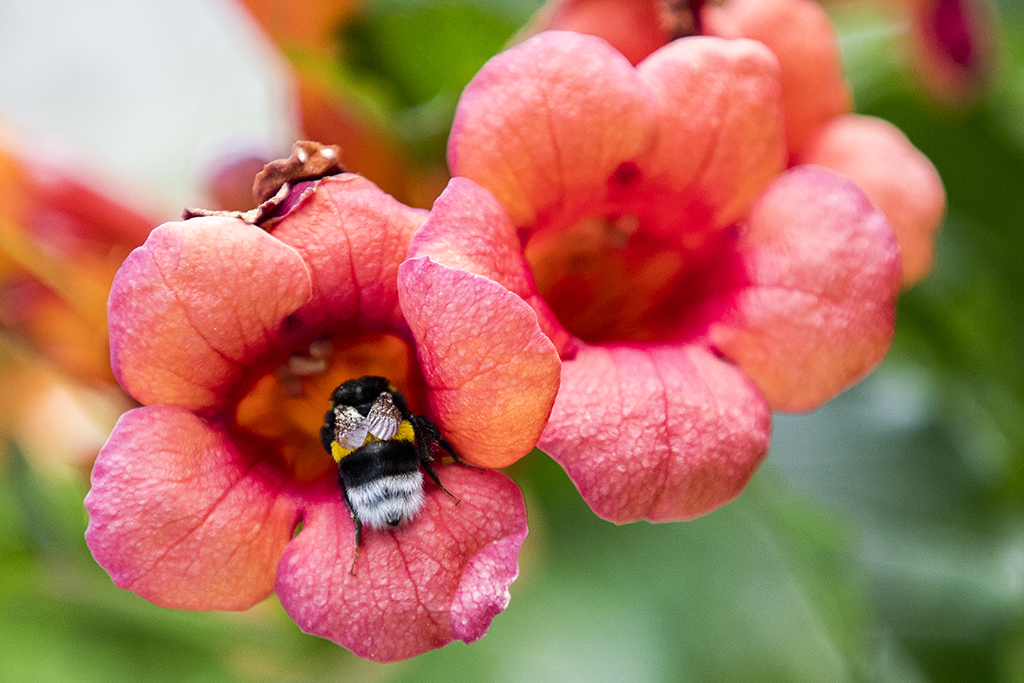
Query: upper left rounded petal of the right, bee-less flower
(546, 125)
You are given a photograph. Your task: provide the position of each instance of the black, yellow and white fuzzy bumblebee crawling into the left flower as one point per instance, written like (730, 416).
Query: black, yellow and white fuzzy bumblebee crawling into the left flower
(382, 451)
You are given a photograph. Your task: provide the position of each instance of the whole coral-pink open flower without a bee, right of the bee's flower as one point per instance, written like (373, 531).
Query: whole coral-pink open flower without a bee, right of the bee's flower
(691, 283)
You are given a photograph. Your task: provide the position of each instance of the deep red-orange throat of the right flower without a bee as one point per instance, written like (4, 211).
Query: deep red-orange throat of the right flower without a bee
(609, 280)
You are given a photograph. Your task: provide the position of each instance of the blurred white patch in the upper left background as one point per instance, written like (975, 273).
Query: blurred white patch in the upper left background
(141, 97)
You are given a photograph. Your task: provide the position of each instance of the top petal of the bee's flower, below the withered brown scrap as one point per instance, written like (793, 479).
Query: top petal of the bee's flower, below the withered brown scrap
(353, 236)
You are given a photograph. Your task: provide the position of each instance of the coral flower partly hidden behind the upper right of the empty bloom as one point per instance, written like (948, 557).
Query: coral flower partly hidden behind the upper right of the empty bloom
(821, 130)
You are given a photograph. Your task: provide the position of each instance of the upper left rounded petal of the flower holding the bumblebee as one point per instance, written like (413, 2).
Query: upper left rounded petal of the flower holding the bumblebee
(196, 306)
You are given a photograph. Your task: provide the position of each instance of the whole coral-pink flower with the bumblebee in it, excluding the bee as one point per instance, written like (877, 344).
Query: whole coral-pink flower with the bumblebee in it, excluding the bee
(233, 337)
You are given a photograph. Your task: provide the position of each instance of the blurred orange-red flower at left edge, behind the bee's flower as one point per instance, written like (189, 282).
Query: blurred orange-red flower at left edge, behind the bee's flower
(61, 244)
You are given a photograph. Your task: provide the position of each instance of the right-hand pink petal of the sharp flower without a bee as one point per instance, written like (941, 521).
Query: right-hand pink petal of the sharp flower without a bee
(824, 275)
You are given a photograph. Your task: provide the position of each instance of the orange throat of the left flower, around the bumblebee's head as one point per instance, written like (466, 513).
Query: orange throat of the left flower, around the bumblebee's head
(285, 408)
